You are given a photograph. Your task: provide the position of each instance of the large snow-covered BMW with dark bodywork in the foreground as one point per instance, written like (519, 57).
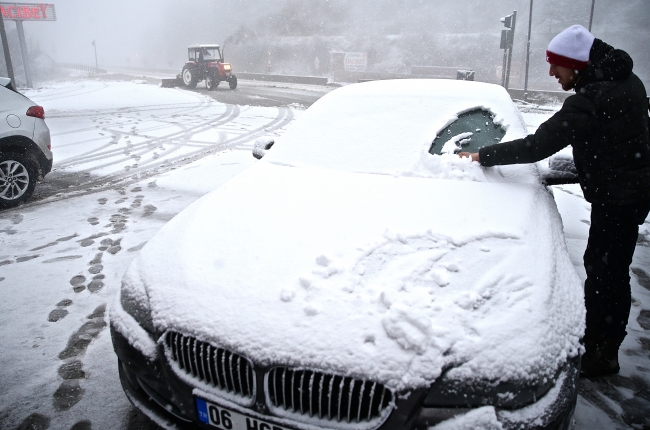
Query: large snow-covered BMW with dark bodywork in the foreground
(362, 276)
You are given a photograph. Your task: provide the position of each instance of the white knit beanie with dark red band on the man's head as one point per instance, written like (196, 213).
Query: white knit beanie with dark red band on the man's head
(571, 48)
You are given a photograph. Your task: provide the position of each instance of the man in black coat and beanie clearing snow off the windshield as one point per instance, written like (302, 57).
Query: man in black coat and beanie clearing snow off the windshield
(606, 122)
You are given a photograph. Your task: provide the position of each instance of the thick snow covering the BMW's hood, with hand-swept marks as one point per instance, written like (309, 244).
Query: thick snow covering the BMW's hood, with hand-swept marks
(386, 278)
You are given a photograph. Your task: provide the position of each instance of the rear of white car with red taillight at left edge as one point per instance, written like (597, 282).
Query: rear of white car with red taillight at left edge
(25, 151)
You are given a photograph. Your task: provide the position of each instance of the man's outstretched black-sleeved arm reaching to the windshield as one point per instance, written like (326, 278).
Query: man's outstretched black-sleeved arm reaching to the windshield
(574, 122)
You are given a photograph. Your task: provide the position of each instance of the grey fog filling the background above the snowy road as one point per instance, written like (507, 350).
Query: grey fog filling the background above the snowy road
(288, 35)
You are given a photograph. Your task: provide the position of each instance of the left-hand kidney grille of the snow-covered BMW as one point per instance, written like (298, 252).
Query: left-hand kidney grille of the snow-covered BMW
(218, 367)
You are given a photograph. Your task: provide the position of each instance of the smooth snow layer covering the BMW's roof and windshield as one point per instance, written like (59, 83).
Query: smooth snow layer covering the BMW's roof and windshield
(388, 126)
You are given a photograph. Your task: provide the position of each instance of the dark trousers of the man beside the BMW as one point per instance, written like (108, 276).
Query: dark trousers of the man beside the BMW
(612, 239)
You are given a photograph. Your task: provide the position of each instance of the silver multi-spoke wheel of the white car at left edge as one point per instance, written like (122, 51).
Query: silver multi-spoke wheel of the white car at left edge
(17, 179)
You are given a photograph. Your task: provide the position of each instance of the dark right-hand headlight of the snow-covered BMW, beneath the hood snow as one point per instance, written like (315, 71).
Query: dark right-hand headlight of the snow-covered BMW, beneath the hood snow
(446, 393)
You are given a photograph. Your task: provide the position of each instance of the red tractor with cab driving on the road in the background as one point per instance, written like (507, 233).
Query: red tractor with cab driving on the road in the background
(206, 62)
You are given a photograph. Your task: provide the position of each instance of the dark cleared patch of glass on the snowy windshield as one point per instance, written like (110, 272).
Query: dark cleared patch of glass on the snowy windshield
(469, 133)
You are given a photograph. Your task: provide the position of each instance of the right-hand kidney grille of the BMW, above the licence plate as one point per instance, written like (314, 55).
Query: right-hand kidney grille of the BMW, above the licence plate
(327, 396)
